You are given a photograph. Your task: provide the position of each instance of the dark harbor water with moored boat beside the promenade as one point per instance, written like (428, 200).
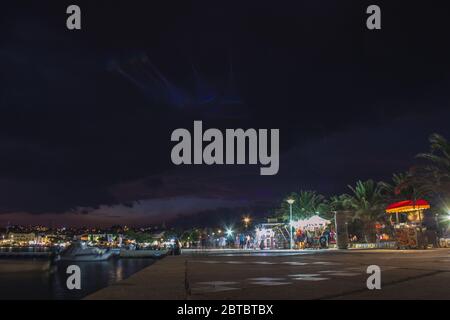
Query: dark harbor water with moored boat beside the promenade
(41, 273)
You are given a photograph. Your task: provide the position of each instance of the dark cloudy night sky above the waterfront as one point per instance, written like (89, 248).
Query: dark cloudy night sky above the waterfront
(86, 116)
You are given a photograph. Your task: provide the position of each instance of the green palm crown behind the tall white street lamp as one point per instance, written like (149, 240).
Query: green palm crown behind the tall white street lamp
(306, 204)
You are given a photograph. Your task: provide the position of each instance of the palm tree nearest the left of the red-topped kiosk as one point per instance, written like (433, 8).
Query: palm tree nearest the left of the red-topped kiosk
(367, 205)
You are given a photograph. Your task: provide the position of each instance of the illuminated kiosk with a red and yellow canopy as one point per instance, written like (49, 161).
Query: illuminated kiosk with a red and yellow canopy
(407, 217)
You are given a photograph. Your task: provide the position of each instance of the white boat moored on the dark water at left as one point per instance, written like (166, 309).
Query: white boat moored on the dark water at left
(79, 251)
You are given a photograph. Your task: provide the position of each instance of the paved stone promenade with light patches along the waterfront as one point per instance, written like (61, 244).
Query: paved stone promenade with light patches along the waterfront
(332, 274)
